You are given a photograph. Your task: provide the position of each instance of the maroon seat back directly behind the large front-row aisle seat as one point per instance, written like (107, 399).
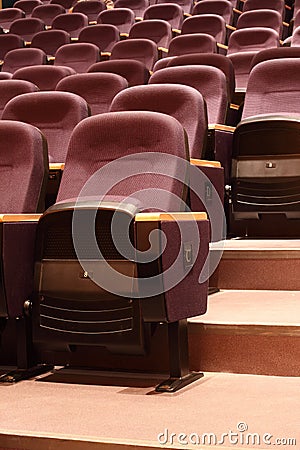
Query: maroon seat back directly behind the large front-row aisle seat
(184, 103)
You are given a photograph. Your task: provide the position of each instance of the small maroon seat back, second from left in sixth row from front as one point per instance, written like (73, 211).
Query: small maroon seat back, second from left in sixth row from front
(49, 41)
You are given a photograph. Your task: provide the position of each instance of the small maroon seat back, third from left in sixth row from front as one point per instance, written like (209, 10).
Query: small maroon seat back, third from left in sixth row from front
(102, 35)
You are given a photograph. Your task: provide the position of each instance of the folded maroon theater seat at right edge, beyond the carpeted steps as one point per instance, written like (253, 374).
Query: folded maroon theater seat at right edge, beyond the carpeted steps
(265, 176)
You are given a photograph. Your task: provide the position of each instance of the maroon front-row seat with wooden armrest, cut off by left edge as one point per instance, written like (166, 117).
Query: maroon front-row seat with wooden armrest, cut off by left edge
(27, 173)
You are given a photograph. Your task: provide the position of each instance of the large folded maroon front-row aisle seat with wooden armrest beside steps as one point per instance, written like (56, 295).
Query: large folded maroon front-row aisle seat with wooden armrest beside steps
(121, 309)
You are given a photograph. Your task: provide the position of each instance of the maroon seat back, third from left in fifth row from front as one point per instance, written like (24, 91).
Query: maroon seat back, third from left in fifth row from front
(142, 50)
